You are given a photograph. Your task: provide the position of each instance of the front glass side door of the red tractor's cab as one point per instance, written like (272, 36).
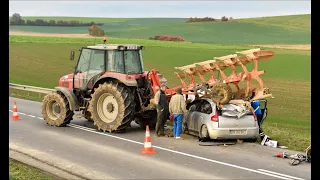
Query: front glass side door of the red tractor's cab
(91, 63)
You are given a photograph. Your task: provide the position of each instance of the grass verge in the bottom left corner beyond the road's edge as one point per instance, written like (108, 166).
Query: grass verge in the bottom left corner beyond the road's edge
(20, 171)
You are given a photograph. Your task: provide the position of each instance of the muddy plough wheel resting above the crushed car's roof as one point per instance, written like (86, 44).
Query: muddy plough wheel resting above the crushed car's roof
(222, 92)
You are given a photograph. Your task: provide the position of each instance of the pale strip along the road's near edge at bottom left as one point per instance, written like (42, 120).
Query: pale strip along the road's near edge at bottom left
(37, 163)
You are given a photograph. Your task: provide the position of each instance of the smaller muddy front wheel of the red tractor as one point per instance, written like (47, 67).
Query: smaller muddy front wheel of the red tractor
(56, 110)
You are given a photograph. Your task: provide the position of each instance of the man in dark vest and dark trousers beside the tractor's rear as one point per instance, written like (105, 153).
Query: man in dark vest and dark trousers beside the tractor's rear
(162, 112)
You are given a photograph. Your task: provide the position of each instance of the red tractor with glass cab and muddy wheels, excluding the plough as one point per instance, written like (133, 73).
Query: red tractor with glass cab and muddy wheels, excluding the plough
(109, 87)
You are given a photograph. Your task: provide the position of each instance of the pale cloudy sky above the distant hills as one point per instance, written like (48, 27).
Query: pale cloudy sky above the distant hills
(152, 8)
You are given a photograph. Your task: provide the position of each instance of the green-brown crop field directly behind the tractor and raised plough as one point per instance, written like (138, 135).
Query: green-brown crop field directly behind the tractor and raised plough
(41, 61)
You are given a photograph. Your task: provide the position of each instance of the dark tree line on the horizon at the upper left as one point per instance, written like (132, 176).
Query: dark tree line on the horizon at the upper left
(16, 19)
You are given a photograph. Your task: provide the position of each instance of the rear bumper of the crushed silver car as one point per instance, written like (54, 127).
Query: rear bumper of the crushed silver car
(225, 133)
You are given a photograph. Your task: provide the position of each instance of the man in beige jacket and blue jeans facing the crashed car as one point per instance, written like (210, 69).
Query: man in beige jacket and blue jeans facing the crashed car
(177, 107)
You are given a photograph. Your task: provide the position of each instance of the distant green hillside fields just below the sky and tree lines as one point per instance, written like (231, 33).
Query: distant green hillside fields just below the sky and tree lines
(270, 30)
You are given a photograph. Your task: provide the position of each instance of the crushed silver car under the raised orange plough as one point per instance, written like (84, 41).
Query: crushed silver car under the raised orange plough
(205, 120)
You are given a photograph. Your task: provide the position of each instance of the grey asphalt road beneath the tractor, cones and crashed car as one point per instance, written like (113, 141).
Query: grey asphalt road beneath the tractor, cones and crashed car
(82, 149)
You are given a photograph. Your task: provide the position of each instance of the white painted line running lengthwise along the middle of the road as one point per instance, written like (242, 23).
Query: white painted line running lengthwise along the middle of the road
(259, 171)
